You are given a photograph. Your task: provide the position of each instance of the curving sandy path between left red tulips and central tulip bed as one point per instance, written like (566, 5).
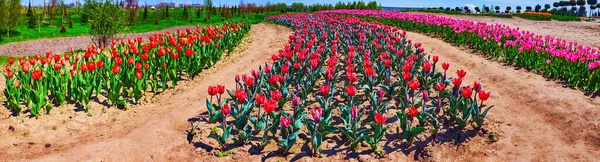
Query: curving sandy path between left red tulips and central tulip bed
(149, 131)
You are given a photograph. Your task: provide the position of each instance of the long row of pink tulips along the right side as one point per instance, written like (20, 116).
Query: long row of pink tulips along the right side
(552, 57)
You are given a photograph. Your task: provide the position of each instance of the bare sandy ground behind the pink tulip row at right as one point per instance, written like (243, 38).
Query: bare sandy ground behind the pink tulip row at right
(586, 33)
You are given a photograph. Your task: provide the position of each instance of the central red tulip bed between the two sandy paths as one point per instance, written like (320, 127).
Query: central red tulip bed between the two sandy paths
(341, 76)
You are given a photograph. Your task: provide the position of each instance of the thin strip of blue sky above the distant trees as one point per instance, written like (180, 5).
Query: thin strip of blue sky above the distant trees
(386, 3)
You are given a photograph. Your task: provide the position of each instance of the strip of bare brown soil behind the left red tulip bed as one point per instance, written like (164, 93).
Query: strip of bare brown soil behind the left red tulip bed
(63, 44)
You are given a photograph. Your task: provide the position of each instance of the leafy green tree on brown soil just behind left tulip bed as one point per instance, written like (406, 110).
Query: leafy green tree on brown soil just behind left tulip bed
(105, 19)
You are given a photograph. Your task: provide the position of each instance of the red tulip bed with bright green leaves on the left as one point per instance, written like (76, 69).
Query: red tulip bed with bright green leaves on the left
(123, 71)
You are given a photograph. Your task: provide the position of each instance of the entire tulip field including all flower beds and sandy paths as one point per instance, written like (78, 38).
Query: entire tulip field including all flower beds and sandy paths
(337, 85)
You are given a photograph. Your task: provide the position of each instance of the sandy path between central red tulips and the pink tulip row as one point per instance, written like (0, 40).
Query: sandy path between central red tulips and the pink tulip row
(538, 120)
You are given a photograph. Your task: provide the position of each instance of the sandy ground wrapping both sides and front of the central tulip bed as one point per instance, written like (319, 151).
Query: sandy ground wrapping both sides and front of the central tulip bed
(535, 119)
